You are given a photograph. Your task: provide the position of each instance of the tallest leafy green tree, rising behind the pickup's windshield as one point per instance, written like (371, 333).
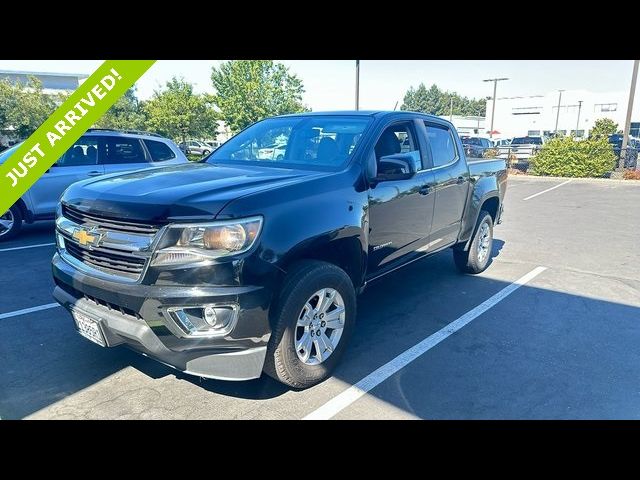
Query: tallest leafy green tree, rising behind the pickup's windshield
(249, 90)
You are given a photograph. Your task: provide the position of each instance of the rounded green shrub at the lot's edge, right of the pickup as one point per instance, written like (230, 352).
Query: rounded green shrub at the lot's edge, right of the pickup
(567, 157)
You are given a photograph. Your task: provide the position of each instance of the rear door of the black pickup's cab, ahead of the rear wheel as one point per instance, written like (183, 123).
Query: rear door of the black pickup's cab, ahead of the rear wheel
(451, 177)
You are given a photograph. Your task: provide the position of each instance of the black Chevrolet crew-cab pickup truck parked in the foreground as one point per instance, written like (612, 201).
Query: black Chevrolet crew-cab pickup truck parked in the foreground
(251, 261)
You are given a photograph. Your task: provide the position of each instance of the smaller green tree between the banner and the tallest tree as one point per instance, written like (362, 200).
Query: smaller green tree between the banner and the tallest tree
(179, 113)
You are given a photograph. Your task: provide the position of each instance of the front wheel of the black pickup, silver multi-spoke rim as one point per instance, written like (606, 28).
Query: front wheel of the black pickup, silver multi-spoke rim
(312, 321)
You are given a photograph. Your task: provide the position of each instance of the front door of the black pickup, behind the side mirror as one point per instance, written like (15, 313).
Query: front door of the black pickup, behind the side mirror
(400, 211)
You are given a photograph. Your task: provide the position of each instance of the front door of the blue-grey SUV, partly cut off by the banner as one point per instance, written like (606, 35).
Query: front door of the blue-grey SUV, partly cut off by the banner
(80, 162)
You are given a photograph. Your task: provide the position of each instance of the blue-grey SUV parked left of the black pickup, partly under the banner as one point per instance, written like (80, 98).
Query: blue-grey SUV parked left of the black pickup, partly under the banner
(97, 152)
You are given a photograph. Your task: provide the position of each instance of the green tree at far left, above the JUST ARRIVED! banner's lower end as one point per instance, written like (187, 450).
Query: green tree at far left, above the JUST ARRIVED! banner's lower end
(23, 108)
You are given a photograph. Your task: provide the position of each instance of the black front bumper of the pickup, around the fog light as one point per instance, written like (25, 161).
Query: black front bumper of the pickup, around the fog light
(137, 315)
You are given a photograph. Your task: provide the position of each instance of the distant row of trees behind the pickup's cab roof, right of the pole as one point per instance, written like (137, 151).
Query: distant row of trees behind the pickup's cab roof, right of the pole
(438, 102)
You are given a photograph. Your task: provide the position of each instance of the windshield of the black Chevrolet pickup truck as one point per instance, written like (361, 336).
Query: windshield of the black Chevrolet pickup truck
(314, 141)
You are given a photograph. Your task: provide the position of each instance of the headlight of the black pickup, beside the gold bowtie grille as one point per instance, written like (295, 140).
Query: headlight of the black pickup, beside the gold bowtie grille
(194, 243)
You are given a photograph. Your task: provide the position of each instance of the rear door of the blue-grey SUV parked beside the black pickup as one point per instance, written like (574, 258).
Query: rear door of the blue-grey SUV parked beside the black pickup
(122, 154)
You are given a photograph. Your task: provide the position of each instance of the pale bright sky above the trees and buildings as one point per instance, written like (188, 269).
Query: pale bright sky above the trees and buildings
(330, 84)
